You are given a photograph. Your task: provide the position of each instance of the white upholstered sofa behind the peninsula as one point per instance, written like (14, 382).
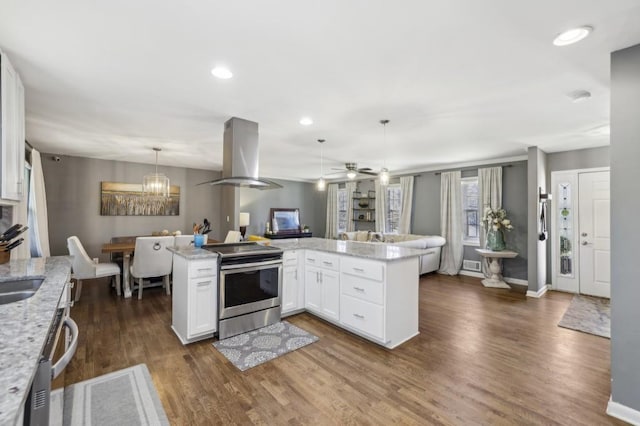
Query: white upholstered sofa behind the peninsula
(429, 262)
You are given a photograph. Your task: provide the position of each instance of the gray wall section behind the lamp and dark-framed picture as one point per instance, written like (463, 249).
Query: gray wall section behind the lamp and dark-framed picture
(301, 195)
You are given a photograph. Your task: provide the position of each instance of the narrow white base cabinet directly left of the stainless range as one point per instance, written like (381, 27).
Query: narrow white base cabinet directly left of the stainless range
(195, 298)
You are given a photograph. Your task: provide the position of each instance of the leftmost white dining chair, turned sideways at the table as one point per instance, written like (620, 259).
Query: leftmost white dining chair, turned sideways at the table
(84, 268)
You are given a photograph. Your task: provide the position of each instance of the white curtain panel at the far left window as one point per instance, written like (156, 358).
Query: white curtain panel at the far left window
(38, 222)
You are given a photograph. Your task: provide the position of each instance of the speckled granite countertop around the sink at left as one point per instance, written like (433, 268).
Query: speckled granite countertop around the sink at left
(25, 325)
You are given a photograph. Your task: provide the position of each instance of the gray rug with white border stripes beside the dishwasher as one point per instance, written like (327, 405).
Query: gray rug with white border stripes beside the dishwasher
(124, 397)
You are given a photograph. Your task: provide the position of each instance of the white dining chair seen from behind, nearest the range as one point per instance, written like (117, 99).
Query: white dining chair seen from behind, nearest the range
(152, 259)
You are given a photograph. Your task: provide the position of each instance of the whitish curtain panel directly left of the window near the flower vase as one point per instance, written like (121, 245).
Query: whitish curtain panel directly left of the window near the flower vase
(451, 222)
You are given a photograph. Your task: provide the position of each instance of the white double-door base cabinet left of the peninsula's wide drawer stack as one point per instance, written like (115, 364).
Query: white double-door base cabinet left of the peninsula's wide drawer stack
(322, 284)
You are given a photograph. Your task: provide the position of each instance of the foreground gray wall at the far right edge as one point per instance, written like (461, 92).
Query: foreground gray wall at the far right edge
(625, 205)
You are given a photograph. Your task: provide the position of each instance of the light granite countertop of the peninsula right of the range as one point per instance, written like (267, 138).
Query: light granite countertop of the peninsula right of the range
(374, 251)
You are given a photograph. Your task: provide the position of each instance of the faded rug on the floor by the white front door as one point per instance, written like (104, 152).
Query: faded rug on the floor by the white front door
(588, 314)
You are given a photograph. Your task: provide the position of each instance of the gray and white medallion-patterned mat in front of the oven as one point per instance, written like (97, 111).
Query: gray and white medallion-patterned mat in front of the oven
(264, 344)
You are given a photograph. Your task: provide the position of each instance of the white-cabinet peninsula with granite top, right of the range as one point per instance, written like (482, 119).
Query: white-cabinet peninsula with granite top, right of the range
(367, 288)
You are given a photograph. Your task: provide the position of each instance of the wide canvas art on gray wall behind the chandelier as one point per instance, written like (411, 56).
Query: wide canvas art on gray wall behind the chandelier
(126, 199)
